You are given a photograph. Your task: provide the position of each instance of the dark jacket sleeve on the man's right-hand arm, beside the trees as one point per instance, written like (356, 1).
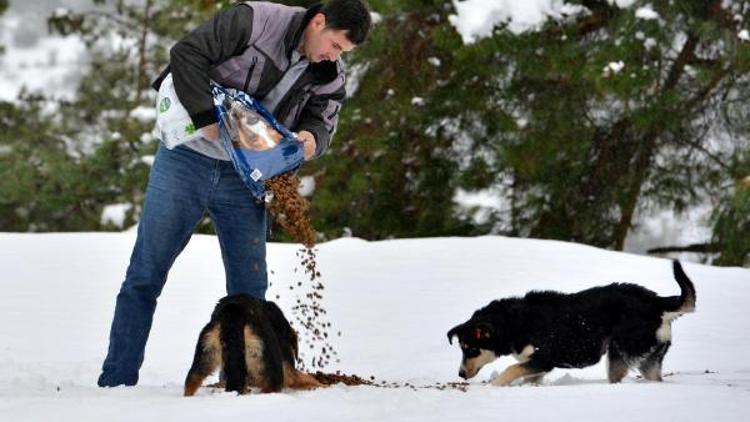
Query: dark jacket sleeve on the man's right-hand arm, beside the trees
(320, 117)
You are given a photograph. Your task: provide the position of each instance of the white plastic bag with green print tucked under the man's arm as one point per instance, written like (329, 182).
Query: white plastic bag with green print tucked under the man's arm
(172, 119)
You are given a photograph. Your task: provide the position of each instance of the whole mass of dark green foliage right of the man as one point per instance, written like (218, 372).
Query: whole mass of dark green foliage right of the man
(576, 143)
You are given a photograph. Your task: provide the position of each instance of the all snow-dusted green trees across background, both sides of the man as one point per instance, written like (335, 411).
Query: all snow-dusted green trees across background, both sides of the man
(579, 124)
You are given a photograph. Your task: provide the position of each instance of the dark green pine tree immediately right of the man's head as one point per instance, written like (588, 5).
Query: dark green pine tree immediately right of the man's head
(392, 170)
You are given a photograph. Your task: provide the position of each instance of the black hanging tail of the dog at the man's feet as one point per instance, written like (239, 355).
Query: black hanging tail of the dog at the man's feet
(233, 348)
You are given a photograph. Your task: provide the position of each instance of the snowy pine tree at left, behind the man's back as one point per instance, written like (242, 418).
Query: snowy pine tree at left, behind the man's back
(99, 144)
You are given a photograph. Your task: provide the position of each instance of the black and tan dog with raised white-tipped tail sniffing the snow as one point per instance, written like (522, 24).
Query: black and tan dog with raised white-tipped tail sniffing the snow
(546, 330)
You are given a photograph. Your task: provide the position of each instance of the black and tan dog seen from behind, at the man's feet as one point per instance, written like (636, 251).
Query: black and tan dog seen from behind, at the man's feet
(254, 345)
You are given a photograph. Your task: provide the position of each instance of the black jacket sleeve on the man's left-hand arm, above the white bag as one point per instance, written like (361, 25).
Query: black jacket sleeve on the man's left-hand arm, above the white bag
(191, 59)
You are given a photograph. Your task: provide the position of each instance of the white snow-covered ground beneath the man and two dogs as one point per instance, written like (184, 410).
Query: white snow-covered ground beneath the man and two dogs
(392, 300)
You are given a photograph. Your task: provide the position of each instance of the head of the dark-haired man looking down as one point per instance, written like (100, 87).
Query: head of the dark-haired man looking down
(340, 26)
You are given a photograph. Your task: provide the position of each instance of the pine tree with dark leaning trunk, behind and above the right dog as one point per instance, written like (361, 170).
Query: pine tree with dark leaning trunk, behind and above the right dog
(599, 143)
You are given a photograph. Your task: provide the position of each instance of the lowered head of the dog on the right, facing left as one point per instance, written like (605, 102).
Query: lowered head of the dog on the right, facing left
(476, 339)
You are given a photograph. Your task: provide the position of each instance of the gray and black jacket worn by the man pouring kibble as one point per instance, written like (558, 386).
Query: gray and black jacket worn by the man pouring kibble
(248, 47)
